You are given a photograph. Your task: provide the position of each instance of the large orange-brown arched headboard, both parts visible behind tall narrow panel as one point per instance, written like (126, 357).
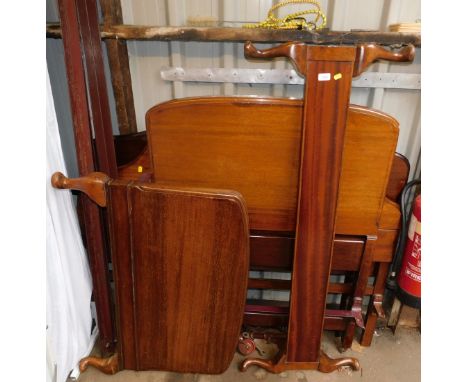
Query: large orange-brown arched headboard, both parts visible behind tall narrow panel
(252, 145)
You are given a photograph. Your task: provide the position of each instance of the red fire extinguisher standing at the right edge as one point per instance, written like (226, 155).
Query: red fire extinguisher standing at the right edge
(409, 277)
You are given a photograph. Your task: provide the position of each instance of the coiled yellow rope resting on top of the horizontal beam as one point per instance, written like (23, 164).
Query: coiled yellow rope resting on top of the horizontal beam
(293, 20)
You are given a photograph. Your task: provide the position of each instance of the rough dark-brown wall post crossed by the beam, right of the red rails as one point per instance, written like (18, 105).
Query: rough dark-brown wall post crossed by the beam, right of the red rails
(120, 69)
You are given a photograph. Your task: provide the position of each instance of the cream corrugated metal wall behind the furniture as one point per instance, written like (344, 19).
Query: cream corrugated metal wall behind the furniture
(147, 58)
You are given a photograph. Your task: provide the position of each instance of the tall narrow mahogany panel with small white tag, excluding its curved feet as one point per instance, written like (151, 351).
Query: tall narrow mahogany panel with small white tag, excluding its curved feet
(329, 71)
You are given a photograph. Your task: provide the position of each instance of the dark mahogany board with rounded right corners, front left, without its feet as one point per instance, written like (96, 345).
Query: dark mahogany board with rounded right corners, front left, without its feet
(181, 265)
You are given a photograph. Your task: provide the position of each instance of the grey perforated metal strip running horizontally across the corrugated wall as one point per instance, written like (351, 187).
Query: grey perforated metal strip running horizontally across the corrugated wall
(285, 77)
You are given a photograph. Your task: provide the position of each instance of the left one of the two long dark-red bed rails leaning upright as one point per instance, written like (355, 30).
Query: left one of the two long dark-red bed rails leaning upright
(95, 244)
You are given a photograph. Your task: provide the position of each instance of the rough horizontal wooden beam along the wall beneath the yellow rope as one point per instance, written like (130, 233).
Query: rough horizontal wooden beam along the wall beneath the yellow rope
(157, 33)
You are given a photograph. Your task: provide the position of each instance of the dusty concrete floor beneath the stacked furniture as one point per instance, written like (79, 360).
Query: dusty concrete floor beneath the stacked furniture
(391, 358)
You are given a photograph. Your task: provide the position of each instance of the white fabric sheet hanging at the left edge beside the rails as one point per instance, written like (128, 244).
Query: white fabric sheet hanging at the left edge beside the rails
(68, 284)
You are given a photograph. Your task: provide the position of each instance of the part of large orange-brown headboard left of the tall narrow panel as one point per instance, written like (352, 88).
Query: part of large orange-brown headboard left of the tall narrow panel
(249, 145)
